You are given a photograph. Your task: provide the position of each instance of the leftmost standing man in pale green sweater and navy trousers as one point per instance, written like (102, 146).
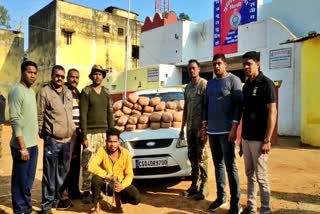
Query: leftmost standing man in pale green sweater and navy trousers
(23, 144)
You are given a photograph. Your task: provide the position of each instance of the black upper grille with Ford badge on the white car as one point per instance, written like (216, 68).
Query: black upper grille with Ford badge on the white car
(151, 144)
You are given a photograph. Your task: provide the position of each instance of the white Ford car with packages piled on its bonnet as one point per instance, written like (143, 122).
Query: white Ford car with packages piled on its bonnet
(158, 153)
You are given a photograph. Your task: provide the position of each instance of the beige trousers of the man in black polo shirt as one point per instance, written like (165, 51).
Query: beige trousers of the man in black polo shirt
(256, 166)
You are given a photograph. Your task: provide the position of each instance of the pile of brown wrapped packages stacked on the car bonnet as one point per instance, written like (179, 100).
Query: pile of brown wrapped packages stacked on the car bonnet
(139, 112)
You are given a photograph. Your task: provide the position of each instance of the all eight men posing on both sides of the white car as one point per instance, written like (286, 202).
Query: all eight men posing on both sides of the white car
(66, 119)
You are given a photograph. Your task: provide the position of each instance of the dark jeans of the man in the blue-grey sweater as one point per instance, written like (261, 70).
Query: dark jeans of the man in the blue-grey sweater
(223, 155)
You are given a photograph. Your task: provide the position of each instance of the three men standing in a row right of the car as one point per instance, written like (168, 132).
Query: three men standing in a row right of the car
(214, 109)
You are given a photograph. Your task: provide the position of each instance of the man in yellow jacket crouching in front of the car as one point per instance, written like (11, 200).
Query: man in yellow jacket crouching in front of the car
(112, 173)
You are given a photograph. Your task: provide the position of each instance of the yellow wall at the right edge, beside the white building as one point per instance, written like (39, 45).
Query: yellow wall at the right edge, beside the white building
(310, 88)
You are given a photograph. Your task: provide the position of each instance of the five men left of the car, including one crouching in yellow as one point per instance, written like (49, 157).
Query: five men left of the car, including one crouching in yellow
(66, 119)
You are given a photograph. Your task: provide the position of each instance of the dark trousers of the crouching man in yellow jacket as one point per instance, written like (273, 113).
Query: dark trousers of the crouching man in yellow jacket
(129, 195)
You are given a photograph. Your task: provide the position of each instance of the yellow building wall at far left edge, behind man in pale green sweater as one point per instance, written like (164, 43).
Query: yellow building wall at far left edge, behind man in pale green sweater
(11, 57)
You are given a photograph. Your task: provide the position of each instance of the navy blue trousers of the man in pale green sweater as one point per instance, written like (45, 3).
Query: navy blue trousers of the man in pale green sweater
(23, 175)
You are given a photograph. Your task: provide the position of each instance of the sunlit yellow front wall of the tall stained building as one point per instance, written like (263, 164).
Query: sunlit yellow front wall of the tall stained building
(90, 45)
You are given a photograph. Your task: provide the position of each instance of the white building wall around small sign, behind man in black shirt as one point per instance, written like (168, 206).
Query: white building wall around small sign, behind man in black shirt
(265, 36)
